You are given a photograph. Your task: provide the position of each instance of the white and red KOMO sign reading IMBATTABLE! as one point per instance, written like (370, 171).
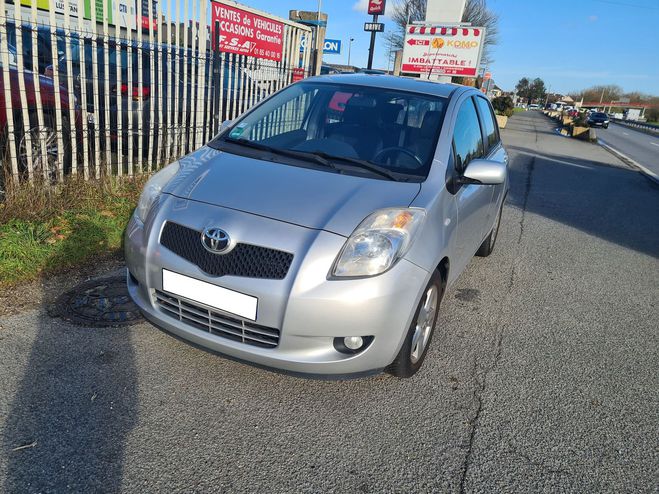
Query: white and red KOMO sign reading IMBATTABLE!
(442, 50)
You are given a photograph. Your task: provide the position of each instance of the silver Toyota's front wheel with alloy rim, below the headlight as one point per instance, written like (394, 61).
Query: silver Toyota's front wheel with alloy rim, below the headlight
(417, 341)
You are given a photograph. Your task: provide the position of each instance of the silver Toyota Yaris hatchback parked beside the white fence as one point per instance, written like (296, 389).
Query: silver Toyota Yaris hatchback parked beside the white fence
(317, 233)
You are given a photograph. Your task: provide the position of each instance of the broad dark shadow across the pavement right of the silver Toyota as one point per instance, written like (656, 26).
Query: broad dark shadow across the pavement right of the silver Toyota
(613, 203)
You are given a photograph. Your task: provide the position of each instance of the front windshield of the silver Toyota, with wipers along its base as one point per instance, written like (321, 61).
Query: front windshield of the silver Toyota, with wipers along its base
(392, 133)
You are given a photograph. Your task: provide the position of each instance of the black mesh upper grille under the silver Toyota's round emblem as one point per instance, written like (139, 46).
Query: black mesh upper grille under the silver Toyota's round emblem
(246, 260)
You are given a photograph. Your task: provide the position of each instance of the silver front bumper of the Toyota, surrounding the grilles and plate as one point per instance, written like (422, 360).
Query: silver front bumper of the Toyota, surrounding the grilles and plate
(309, 310)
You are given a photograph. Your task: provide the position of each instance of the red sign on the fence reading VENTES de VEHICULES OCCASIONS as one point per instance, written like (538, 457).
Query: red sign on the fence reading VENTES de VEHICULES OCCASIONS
(246, 33)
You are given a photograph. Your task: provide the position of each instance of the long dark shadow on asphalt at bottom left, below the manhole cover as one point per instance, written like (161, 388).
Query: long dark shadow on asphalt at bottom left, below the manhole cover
(72, 411)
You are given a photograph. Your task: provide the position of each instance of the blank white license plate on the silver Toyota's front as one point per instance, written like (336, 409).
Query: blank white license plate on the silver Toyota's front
(209, 294)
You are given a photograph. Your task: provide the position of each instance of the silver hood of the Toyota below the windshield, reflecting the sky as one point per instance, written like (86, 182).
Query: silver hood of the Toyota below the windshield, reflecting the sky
(302, 196)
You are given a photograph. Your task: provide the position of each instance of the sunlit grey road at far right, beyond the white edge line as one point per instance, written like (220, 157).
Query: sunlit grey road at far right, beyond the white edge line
(642, 148)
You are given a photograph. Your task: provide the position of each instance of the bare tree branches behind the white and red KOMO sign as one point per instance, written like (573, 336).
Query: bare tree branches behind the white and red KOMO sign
(476, 12)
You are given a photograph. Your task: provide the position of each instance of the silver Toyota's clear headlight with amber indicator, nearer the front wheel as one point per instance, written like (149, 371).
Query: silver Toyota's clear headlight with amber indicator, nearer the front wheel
(378, 242)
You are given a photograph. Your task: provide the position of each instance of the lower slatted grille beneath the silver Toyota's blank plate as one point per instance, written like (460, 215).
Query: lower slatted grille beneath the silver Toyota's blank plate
(205, 319)
